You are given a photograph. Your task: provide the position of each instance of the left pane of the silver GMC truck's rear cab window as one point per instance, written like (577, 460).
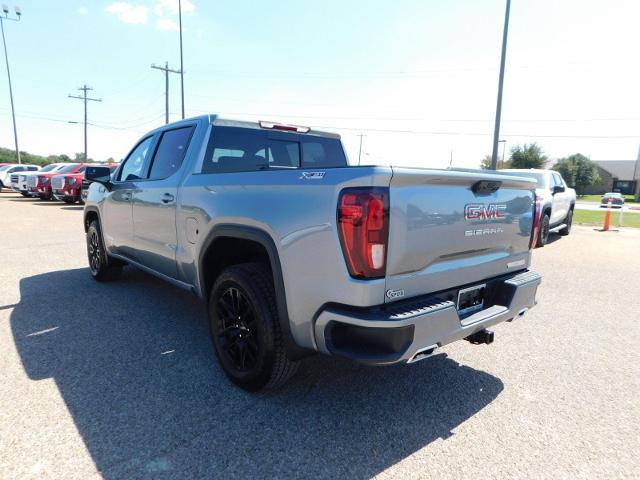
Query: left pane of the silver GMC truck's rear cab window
(234, 149)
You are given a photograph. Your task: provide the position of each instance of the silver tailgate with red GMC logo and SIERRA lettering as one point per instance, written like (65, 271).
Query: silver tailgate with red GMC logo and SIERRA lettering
(450, 228)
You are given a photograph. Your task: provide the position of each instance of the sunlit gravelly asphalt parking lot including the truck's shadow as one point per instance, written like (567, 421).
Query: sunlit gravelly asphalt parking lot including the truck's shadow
(119, 380)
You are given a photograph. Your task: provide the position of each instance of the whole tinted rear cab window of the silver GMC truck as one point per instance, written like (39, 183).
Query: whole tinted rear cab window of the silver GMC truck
(234, 149)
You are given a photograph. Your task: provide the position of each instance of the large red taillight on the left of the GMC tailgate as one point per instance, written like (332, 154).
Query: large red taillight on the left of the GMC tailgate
(363, 223)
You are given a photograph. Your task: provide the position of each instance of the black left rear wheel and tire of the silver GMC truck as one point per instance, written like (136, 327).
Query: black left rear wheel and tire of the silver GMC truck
(245, 330)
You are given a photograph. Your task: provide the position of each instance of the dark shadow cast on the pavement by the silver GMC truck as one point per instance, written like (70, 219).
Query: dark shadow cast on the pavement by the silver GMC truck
(133, 362)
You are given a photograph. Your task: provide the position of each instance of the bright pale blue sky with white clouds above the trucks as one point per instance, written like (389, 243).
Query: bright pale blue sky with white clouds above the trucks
(417, 77)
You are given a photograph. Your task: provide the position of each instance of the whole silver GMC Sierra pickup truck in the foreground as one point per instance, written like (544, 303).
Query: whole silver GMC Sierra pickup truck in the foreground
(296, 252)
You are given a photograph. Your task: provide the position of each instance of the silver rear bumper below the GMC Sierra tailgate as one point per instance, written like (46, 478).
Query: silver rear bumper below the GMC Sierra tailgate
(400, 331)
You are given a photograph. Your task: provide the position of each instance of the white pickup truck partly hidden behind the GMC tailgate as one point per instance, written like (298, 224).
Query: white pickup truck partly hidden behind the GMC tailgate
(556, 202)
